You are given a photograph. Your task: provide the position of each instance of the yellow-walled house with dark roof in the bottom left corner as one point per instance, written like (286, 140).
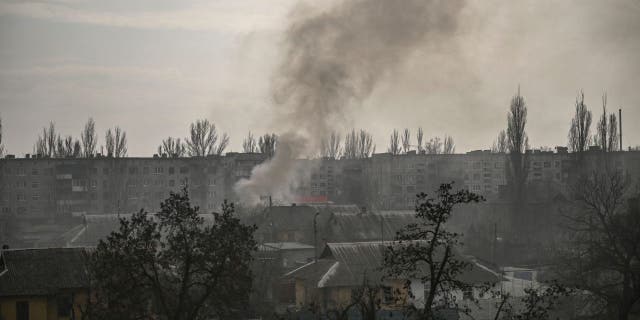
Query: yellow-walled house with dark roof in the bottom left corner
(43, 284)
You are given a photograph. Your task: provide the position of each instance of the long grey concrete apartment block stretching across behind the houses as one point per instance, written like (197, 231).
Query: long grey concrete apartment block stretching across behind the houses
(46, 188)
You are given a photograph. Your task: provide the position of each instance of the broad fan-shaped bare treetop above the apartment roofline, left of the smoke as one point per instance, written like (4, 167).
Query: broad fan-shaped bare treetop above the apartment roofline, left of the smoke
(203, 139)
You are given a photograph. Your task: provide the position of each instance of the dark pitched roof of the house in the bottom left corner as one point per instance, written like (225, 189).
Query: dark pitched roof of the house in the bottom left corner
(42, 271)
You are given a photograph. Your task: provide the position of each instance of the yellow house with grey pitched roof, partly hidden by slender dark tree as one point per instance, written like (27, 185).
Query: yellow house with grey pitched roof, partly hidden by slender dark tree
(342, 267)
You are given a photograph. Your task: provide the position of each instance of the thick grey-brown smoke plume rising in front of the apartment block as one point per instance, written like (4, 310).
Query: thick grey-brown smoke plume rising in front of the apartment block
(333, 59)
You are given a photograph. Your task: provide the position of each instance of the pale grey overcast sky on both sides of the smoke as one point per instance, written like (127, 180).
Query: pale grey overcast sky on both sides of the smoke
(154, 66)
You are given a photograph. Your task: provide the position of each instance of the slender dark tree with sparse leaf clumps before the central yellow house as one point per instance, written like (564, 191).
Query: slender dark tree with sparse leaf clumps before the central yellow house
(426, 251)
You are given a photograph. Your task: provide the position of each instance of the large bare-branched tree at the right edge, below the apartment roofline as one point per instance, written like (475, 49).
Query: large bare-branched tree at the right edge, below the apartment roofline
(602, 253)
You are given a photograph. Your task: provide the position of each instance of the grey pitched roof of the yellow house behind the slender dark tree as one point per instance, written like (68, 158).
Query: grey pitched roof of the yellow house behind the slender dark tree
(350, 264)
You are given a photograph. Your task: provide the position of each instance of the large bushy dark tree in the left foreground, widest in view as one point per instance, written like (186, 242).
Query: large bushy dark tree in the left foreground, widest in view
(173, 265)
